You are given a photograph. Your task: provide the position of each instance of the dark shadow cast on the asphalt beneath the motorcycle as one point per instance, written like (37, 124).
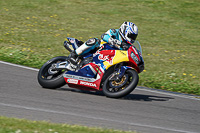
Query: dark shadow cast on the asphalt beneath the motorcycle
(134, 97)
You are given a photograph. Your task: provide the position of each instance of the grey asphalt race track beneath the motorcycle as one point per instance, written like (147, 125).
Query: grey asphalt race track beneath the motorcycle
(144, 110)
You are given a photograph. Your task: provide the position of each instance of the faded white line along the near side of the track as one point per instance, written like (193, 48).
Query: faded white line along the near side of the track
(93, 117)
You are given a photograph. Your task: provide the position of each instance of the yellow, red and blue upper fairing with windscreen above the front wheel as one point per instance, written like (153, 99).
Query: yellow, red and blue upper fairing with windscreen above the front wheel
(108, 56)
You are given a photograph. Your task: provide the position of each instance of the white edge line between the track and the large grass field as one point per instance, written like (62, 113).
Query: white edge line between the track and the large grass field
(154, 91)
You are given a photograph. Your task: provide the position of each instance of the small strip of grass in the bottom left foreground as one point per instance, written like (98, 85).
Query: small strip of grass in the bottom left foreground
(13, 125)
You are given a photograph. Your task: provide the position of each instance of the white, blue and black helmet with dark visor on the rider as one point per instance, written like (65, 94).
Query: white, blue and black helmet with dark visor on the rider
(128, 32)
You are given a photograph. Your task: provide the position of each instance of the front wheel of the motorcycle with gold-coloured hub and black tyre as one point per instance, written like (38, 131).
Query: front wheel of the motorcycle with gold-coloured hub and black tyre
(117, 89)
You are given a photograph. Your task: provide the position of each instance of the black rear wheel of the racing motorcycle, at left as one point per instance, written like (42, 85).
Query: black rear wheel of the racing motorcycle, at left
(50, 78)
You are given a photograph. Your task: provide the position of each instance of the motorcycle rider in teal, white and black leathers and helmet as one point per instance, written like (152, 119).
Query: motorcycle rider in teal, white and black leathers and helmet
(121, 38)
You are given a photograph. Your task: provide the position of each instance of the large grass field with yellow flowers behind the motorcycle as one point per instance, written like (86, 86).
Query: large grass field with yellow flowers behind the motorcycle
(31, 32)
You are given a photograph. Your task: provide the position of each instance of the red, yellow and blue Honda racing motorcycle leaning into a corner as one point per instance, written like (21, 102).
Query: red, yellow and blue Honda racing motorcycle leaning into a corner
(113, 71)
